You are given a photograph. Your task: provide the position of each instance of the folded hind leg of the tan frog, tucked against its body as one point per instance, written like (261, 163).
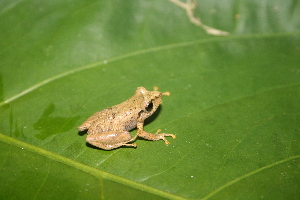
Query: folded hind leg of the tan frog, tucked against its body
(110, 139)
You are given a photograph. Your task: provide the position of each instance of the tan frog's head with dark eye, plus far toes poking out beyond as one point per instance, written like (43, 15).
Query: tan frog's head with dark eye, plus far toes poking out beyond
(151, 101)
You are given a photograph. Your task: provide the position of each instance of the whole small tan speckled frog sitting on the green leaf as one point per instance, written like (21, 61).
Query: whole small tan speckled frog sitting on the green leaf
(110, 128)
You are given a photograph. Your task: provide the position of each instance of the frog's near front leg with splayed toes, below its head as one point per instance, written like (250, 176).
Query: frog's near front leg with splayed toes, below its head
(151, 136)
